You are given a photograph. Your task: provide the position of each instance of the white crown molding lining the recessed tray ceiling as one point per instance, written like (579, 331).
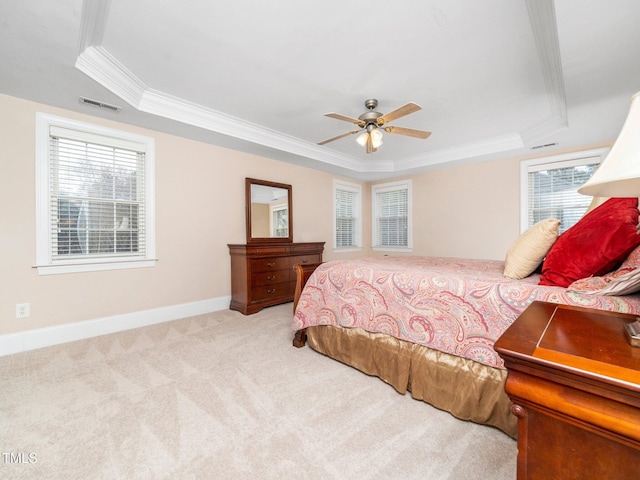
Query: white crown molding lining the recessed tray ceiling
(97, 63)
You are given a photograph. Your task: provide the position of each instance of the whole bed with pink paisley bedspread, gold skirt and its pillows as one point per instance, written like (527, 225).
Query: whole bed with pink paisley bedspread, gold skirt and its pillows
(427, 325)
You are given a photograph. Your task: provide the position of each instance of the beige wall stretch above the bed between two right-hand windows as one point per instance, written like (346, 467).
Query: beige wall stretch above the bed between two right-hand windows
(471, 211)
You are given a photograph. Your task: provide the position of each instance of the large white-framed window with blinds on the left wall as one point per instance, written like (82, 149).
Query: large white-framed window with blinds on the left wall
(95, 197)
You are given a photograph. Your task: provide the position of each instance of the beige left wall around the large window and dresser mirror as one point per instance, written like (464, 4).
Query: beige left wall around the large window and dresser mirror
(199, 210)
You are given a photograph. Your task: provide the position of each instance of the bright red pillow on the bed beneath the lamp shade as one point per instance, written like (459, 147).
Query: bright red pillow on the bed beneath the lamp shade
(595, 245)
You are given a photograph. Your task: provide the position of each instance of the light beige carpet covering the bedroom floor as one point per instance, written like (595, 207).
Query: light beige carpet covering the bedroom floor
(224, 396)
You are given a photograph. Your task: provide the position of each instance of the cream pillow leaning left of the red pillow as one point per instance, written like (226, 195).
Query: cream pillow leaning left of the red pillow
(530, 248)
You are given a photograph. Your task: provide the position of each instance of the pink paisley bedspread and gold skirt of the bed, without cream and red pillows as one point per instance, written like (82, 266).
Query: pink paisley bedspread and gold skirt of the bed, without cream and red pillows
(427, 325)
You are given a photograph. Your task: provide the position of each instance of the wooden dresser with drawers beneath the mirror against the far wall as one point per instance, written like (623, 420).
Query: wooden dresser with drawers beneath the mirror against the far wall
(262, 274)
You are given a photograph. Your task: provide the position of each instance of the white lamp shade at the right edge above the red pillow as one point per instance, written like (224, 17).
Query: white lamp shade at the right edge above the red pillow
(619, 174)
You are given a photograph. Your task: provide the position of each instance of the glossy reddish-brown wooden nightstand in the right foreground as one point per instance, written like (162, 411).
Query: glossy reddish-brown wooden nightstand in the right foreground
(575, 385)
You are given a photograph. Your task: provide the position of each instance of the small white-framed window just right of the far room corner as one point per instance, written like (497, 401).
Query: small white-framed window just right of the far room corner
(392, 216)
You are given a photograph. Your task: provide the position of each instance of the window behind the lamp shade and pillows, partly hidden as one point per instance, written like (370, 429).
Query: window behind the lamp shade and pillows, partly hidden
(549, 187)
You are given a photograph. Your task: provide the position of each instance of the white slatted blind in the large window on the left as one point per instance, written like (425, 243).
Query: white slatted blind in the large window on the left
(96, 198)
